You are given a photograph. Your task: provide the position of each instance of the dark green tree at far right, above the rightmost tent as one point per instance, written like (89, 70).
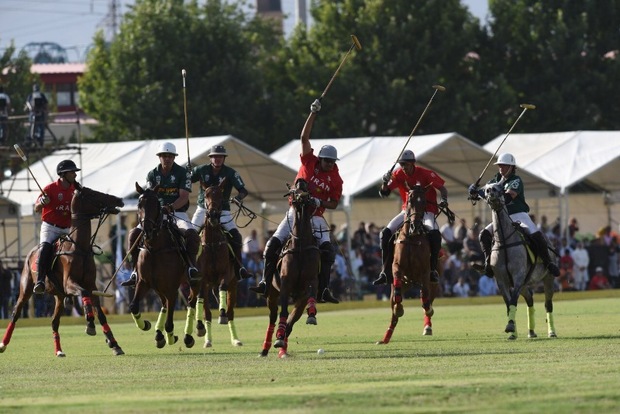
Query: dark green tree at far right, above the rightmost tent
(562, 56)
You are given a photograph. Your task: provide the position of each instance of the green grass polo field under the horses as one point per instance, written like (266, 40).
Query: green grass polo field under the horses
(467, 366)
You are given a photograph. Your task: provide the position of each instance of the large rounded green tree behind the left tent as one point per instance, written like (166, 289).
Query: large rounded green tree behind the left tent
(134, 85)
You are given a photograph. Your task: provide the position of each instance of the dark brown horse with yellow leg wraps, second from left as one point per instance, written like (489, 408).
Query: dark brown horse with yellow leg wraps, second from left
(160, 266)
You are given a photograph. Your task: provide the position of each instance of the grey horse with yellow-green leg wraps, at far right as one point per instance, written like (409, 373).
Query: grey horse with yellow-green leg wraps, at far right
(515, 271)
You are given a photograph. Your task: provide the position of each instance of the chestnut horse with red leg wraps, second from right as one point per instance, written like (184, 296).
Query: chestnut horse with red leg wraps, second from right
(411, 265)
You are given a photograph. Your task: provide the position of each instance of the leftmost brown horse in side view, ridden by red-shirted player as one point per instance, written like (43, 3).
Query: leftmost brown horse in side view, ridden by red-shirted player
(73, 271)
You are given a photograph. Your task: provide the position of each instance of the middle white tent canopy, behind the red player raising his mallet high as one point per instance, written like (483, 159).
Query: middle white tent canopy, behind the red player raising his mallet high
(363, 161)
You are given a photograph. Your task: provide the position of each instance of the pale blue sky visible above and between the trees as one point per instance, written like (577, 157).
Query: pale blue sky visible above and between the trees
(73, 23)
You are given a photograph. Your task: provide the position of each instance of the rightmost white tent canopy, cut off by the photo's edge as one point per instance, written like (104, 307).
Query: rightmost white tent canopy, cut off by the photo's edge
(567, 158)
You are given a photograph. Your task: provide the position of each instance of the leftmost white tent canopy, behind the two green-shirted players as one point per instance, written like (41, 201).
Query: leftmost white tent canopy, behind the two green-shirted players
(114, 168)
